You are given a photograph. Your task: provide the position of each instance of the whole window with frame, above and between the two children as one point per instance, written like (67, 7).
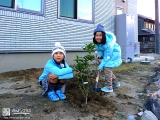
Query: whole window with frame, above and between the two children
(79, 10)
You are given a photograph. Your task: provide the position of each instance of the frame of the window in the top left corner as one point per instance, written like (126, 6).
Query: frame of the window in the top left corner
(42, 12)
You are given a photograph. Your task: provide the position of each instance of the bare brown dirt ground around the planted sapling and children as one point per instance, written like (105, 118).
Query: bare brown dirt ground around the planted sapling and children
(20, 91)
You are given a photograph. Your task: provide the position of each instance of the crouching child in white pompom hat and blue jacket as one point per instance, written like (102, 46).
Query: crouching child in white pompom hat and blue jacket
(55, 74)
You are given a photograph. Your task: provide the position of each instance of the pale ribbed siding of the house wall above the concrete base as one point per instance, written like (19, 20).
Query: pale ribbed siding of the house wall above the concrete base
(22, 32)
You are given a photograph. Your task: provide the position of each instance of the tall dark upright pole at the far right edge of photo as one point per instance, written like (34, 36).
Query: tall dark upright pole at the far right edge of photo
(157, 35)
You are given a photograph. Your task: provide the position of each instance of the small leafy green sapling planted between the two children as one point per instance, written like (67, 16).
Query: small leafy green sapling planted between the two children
(83, 73)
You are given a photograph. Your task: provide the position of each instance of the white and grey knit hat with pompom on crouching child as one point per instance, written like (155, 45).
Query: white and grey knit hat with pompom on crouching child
(58, 48)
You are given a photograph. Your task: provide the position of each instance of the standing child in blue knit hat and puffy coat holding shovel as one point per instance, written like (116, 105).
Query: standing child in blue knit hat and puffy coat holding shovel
(109, 56)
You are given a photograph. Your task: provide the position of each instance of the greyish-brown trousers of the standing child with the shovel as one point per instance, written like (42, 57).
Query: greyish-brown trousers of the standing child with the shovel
(109, 77)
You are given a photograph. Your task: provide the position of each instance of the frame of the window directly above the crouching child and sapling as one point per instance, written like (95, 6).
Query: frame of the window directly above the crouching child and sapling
(77, 19)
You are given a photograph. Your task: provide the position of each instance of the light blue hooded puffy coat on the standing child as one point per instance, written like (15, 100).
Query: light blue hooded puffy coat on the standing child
(111, 52)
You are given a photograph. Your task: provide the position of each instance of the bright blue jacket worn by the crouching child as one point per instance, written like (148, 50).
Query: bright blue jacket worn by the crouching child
(58, 70)
